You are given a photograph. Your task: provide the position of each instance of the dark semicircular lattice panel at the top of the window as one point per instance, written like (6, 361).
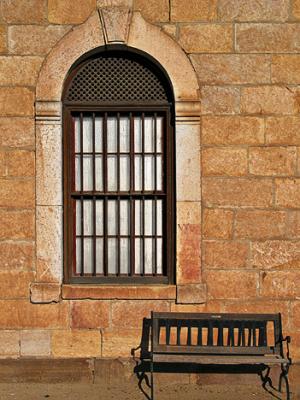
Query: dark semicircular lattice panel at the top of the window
(115, 79)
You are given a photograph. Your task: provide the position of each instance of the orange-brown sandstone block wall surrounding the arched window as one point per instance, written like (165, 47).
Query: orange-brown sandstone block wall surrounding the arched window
(246, 55)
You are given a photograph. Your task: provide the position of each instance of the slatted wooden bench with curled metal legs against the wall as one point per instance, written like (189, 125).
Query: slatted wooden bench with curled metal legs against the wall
(219, 339)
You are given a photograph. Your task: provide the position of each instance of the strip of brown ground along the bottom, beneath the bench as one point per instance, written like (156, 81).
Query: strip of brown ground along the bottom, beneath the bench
(84, 391)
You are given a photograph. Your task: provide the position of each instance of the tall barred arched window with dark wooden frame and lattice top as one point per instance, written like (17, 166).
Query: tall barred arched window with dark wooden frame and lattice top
(119, 190)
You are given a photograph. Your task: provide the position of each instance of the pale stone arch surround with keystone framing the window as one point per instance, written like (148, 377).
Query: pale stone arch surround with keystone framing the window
(115, 25)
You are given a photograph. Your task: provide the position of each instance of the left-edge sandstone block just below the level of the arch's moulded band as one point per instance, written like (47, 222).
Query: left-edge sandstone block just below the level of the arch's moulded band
(16, 132)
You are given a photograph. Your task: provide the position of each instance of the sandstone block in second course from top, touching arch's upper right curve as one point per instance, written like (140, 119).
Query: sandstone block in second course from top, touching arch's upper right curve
(206, 38)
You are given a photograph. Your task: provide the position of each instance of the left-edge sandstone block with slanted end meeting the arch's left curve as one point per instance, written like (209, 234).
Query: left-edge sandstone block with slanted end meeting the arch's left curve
(20, 71)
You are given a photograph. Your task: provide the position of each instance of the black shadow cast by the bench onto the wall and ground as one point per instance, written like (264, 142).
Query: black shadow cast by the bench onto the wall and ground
(143, 367)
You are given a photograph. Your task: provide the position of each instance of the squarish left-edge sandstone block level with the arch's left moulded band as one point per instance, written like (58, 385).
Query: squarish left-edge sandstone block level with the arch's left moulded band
(16, 101)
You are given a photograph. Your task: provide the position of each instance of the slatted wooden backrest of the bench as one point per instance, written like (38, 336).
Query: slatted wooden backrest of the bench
(197, 333)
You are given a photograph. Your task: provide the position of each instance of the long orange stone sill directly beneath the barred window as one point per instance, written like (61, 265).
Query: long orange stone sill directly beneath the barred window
(145, 292)
